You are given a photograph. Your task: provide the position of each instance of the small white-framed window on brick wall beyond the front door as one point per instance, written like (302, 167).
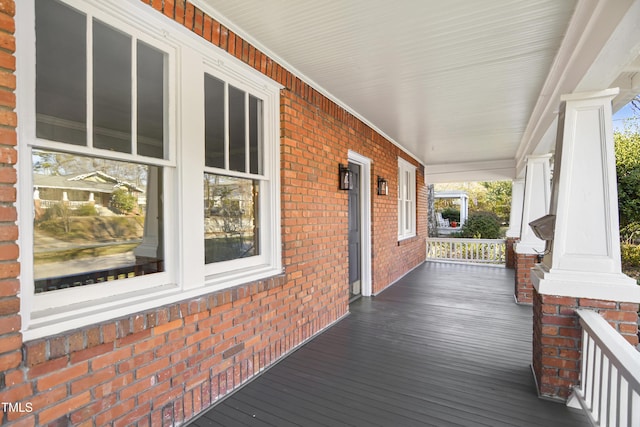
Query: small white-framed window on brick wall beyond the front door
(406, 199)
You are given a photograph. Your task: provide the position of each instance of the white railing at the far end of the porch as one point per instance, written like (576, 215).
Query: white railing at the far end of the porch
(484, 251)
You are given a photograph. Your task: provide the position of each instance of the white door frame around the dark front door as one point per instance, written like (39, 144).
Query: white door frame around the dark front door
(365, 219)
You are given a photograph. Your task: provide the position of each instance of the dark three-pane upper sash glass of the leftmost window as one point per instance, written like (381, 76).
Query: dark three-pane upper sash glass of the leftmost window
(62, 74)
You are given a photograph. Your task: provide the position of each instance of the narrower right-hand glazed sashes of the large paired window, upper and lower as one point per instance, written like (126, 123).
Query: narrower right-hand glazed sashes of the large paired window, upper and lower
(233, 173)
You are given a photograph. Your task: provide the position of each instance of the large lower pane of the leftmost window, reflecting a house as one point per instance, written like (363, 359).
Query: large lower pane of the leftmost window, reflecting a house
(95, 220)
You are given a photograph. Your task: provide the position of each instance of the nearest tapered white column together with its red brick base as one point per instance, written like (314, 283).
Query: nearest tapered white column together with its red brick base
(581, 266)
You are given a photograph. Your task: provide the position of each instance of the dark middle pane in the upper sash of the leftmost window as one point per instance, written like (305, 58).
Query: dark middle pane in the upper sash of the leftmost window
(111, 89)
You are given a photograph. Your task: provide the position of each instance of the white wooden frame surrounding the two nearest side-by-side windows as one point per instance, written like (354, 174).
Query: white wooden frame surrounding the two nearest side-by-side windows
(185, 275)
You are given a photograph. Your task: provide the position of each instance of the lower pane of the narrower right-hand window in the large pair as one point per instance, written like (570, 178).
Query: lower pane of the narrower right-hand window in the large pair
(231, 218)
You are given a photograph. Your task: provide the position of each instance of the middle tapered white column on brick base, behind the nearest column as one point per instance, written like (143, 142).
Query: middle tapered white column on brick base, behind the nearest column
(535, 204)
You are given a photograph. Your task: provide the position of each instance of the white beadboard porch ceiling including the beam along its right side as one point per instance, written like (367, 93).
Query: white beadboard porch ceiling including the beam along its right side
(465, 86)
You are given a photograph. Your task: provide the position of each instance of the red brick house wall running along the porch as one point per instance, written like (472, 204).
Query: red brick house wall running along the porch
(163, 366)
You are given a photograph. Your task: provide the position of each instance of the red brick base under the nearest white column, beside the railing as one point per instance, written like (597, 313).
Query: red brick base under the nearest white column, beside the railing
(557, 338)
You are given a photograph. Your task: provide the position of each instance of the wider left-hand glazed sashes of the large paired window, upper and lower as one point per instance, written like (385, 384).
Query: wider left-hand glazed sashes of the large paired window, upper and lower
(97, 218)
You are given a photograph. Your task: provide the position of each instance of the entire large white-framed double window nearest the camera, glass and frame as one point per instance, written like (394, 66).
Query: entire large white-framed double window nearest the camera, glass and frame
(129, 113)
